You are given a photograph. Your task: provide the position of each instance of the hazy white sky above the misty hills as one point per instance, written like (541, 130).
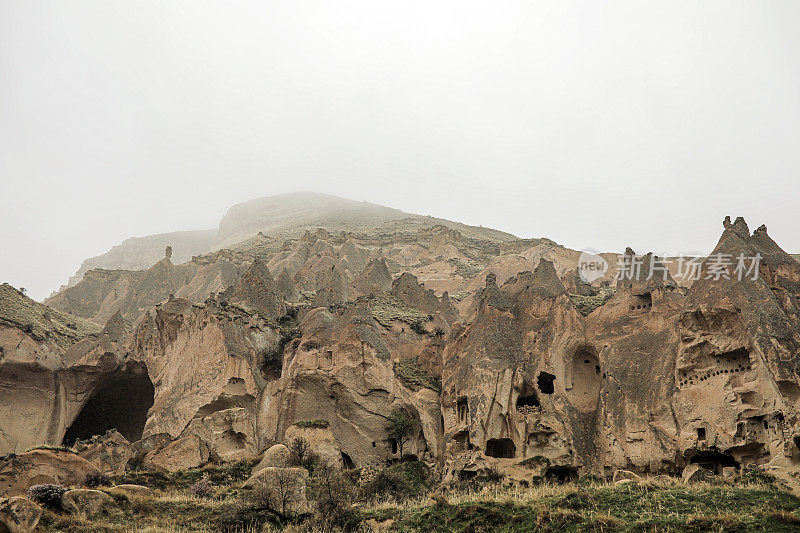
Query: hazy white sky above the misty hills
(597, 124)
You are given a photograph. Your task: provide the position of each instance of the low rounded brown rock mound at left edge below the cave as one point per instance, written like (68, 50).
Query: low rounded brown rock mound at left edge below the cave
(20, 472)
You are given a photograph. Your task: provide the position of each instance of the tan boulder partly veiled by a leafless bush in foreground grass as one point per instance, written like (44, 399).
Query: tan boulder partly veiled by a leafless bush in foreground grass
(285, 488)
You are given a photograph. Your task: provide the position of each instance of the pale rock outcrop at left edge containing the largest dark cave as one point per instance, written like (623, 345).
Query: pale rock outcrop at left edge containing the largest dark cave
(45, 388)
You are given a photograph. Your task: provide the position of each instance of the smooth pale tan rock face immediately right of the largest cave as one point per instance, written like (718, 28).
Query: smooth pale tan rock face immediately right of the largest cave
(201, 359)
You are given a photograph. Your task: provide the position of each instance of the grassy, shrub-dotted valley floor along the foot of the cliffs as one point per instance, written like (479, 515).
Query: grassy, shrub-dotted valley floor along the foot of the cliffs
(658, 504)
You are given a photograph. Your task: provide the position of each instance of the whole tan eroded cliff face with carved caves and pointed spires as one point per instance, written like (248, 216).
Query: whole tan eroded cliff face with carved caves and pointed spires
(325, 337)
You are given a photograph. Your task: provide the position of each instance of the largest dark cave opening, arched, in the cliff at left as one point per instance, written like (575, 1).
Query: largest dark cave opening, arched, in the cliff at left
(121, 402)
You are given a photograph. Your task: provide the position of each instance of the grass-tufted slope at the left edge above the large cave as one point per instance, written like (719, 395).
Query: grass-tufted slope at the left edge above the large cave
(42, 321)
